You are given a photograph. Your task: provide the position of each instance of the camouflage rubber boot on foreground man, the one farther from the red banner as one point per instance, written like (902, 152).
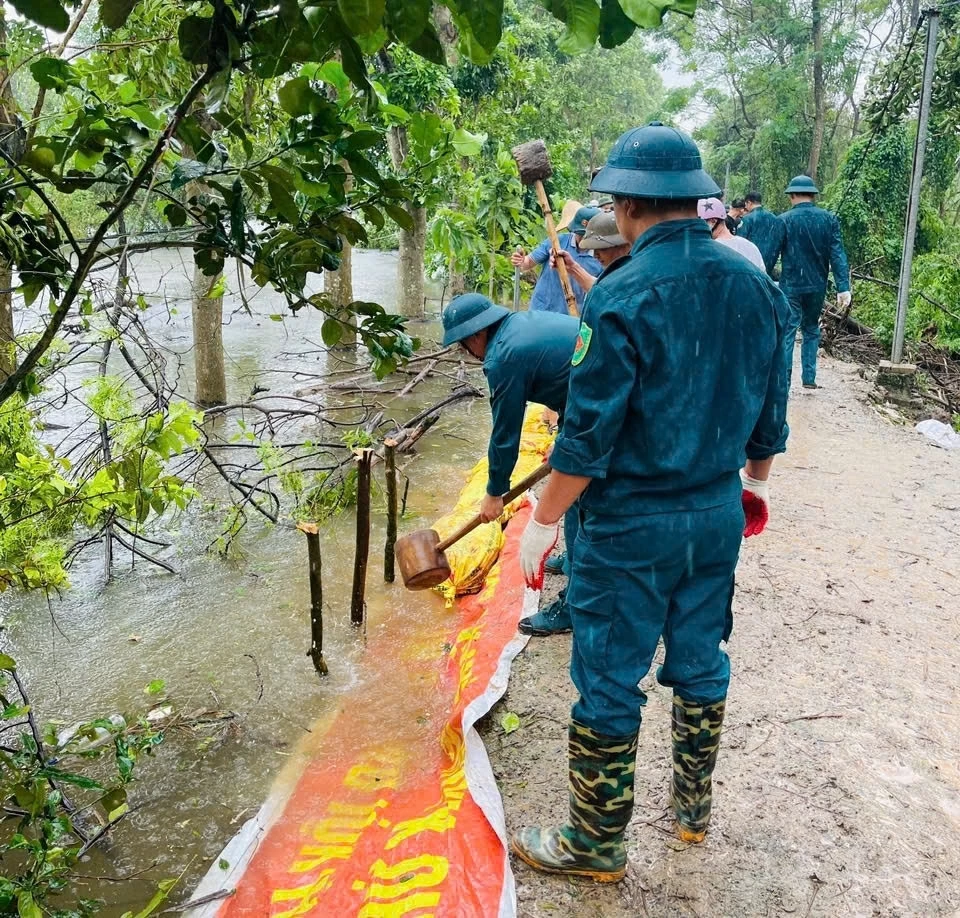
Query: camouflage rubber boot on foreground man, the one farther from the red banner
(696, 739)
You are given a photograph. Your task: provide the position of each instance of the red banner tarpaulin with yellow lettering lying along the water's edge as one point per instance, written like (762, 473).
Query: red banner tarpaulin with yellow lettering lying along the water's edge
(399, 823)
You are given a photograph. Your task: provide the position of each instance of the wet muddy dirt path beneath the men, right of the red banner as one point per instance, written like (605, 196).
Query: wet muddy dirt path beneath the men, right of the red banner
(837, 790)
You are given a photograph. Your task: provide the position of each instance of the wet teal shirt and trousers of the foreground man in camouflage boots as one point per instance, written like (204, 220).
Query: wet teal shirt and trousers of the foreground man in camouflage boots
(679, 375)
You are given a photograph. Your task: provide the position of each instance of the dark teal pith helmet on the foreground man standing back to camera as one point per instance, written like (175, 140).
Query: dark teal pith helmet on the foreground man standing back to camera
(655, 162)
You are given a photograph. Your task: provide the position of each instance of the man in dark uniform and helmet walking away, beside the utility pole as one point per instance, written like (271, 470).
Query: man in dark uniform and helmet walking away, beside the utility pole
(812, 248)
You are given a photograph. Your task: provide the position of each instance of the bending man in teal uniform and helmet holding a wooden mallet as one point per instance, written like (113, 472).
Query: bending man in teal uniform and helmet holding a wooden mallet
(526, 358)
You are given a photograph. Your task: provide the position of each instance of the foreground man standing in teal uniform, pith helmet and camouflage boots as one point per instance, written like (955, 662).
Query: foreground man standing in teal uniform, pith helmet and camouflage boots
(676, 408)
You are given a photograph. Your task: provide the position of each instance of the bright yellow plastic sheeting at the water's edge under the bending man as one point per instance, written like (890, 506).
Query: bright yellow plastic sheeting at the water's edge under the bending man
(472, 557)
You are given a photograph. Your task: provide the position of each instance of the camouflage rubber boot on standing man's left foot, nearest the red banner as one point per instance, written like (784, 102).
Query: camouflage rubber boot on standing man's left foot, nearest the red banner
(590, 843)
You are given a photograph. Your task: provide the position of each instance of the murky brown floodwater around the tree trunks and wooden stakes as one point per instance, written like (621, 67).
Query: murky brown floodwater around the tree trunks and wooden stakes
(231, 635)
